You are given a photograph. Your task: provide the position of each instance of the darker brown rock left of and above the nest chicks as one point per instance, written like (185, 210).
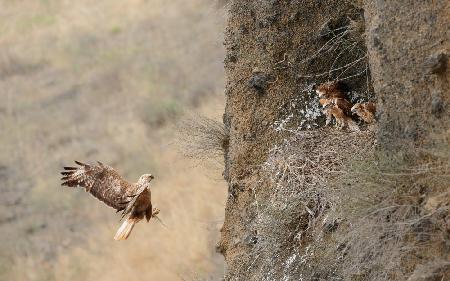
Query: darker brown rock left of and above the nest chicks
(274, 51)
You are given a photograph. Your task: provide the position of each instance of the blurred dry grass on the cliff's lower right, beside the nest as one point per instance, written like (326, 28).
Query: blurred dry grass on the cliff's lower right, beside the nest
(397, 216)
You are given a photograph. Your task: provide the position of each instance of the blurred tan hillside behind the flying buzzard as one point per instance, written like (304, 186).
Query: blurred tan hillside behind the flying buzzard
(107, 80)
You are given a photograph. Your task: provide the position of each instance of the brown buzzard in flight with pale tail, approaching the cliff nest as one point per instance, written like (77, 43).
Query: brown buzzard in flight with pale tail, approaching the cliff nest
(102, 181)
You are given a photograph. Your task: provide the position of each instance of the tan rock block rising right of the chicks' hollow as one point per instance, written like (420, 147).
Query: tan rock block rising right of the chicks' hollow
(408, 48)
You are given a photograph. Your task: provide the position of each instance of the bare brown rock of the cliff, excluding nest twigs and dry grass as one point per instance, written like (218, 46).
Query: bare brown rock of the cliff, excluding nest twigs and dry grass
(275, 56)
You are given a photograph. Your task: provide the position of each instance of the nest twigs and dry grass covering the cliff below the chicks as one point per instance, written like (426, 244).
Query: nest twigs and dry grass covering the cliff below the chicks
(358, 214)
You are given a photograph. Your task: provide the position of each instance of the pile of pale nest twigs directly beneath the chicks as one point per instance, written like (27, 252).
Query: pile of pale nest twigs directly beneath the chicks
(302, 168)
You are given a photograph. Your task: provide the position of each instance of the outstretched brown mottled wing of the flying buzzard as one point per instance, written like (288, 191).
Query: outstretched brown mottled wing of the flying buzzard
(102, 181)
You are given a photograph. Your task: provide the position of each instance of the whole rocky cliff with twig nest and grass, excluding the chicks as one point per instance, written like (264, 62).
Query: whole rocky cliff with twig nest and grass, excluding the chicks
(284, 210)
